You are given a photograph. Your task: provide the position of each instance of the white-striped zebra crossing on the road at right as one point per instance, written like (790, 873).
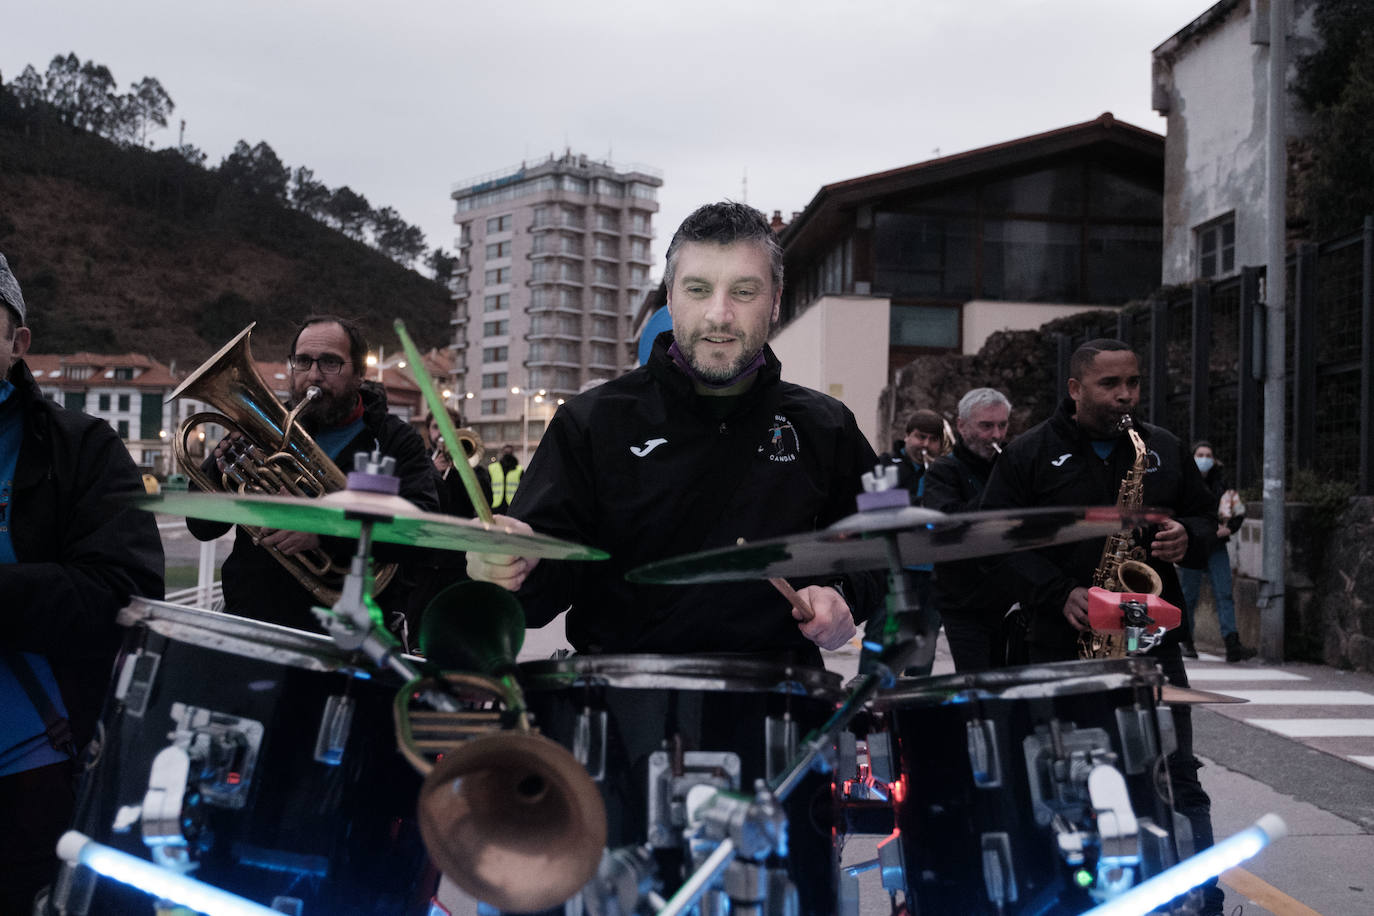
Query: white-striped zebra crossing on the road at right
(1318, 707)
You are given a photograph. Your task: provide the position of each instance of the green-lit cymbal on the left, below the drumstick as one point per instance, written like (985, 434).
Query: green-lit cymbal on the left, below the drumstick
(341, 514)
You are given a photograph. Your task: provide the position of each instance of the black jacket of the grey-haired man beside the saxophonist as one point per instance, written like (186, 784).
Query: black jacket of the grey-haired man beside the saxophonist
(956, 484)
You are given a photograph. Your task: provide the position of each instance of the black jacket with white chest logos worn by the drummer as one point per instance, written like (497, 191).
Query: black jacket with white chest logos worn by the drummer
(646, 469)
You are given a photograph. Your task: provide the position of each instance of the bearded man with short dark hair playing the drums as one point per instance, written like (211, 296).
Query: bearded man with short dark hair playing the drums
(701, 447)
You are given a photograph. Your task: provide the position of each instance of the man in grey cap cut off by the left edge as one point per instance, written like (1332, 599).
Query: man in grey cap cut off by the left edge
(71, 558)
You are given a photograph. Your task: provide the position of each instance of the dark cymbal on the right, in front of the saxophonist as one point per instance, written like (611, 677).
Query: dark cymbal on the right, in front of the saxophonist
(858, 543)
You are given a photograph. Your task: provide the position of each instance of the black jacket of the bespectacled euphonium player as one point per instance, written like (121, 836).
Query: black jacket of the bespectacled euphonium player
(258, 586)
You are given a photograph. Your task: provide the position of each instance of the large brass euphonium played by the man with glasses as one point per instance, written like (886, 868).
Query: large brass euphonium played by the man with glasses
(275, 458)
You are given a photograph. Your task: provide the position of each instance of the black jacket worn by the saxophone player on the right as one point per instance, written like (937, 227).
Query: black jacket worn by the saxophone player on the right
(1055, 465)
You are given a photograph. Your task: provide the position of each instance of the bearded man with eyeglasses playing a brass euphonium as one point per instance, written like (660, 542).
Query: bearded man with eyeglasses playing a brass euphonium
(348, 415)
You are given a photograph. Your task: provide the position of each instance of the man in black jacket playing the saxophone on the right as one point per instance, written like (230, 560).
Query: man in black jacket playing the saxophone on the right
(1079, 458)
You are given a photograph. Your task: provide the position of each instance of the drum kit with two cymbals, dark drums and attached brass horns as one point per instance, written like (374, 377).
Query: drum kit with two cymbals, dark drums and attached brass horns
(249, 768)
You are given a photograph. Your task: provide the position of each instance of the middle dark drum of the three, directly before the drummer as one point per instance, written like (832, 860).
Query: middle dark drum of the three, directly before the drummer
(652, 727)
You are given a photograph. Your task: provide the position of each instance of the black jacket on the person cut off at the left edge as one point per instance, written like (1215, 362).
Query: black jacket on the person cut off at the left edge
(82, 554)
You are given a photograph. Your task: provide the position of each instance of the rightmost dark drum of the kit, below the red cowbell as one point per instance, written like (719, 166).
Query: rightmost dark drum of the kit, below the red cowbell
(994, 804)
